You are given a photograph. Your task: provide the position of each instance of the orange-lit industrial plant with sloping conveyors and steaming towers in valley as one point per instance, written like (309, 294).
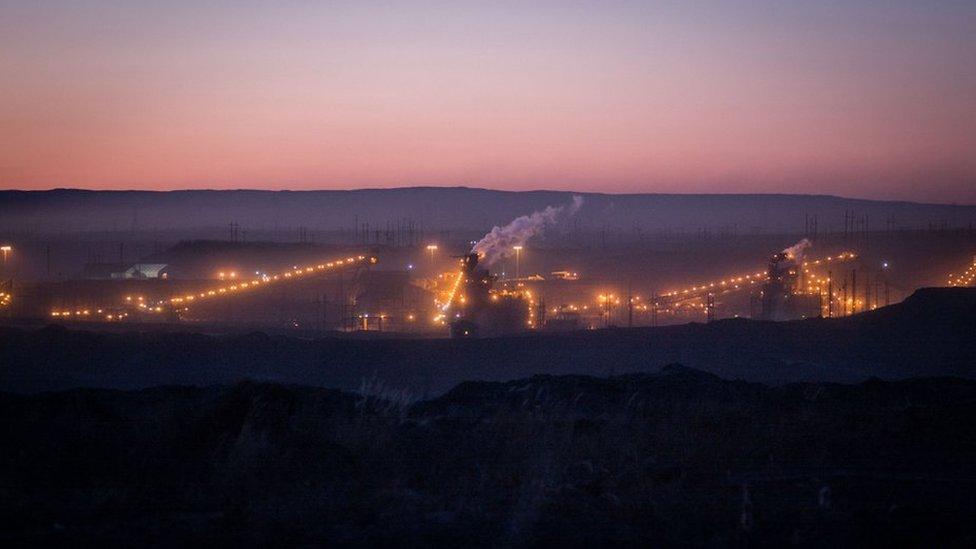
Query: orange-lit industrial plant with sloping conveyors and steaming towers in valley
(355, 294)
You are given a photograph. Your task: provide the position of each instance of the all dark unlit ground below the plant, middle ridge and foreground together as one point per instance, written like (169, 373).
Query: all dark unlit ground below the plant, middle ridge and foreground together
(576, 439)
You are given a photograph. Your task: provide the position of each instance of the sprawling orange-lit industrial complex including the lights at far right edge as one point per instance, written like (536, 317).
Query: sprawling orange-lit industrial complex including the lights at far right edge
(421, 289)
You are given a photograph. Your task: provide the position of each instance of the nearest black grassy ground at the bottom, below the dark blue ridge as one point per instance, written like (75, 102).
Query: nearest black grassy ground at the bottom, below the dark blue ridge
(679, 457)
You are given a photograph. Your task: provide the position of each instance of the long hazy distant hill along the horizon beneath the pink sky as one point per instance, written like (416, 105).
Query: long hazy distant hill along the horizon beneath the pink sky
(449, 208)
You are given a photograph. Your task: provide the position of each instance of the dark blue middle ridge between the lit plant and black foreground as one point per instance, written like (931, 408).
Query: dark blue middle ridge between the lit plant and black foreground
(929, 334)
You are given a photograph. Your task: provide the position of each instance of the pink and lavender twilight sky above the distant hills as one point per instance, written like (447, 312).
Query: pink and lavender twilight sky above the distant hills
(872, 99)
